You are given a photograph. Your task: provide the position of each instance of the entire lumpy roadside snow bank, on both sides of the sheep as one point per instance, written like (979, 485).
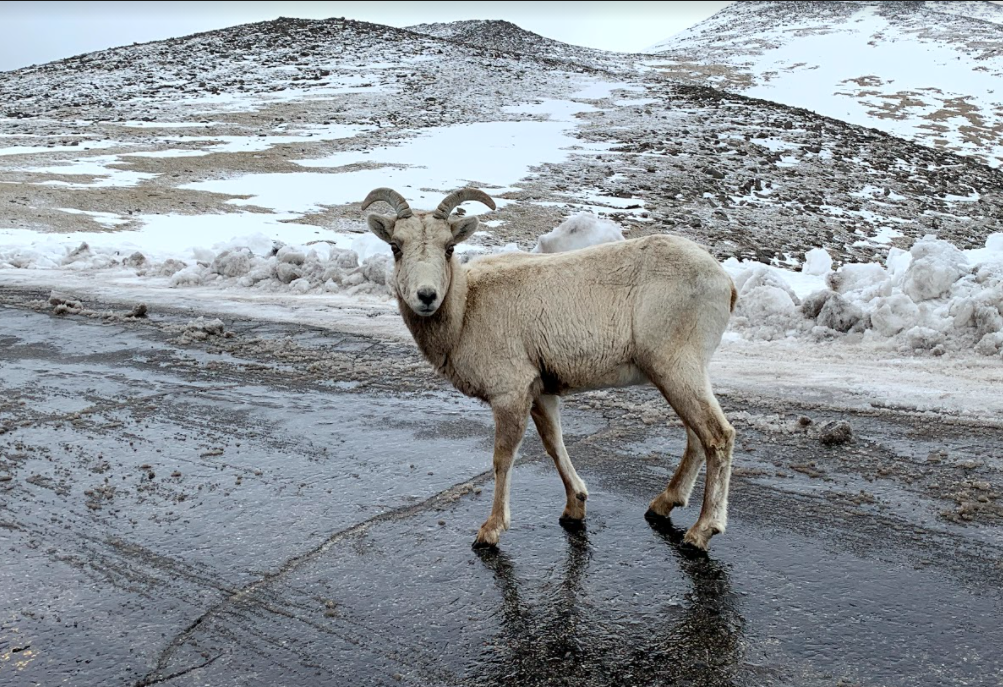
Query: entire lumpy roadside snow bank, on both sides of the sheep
(934, 298)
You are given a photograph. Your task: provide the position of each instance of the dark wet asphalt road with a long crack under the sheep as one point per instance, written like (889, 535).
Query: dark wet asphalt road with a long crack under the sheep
(211, 514)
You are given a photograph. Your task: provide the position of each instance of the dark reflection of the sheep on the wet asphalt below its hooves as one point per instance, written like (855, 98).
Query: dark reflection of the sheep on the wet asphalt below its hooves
(565, 638)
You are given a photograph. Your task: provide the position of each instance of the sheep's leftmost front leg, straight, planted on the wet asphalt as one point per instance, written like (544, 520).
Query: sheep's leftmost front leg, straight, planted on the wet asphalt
(510, 426)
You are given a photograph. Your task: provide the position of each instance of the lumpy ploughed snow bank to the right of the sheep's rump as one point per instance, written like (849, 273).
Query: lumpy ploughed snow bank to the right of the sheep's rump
(933, 298)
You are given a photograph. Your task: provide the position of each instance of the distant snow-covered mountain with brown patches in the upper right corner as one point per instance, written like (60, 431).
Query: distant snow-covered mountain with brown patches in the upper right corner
(927, 72)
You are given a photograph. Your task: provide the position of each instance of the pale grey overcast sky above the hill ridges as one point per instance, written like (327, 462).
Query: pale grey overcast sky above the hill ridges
(38, 33)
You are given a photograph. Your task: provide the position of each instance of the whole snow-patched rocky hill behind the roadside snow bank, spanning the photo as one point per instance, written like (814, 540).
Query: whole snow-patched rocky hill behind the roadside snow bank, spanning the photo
(215, 123)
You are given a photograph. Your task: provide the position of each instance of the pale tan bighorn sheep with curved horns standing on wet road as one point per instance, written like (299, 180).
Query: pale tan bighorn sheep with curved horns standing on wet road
(519, 330)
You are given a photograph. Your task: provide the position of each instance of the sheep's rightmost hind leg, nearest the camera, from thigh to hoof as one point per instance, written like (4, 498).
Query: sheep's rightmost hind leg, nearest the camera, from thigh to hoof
(687, 388)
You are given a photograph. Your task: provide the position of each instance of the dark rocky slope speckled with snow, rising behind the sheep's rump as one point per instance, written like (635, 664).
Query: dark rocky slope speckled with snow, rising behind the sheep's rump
(763, 181)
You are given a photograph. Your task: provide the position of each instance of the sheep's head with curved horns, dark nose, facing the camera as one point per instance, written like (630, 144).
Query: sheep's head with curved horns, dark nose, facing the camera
(423, 244)
